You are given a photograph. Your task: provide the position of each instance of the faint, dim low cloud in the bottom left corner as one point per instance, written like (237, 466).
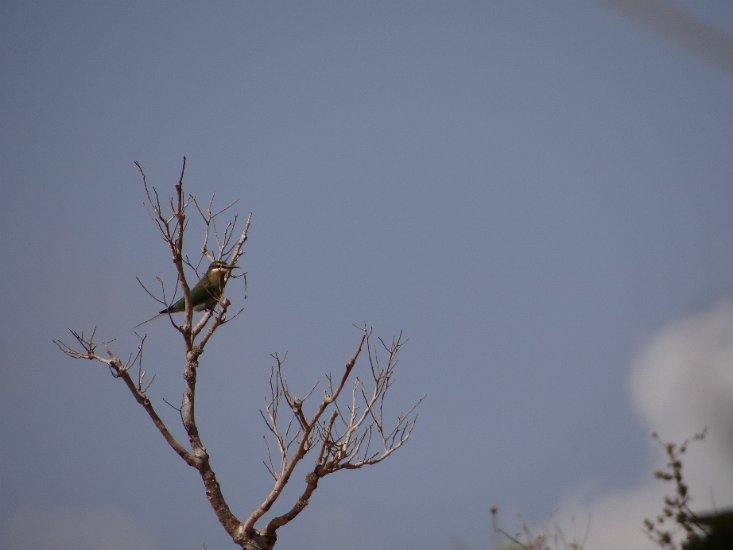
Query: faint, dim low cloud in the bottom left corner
(77, 528)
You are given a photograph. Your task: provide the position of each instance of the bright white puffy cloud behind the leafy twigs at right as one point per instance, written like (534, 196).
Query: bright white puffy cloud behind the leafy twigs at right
(681, 382)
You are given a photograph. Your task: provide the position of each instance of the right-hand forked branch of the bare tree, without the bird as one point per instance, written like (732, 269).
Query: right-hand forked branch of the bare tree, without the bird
(347, 428)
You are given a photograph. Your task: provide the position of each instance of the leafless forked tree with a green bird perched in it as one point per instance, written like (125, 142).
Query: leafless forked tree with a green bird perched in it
(346, 428)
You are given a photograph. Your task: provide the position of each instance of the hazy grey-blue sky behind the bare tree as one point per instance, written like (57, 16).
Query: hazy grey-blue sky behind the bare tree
(537, 193)
